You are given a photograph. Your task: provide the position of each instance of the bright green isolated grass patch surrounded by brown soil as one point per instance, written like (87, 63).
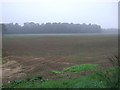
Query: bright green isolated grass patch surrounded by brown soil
(82, 68)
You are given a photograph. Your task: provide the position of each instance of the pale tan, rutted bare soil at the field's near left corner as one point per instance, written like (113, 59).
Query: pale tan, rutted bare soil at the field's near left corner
(22, 67)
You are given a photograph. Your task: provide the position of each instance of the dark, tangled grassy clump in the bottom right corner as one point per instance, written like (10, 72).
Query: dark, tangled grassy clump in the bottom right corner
(110, 77)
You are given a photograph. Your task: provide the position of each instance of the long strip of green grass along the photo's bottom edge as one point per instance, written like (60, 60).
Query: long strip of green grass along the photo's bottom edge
(89, 81)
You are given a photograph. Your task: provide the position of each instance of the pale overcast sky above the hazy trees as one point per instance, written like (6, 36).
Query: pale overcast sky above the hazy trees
(104, 13)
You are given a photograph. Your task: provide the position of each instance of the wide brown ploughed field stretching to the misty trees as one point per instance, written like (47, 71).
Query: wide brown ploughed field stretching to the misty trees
(37, 54)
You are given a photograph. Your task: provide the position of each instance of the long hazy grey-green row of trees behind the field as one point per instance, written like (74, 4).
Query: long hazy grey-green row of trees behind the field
(35, 28)
